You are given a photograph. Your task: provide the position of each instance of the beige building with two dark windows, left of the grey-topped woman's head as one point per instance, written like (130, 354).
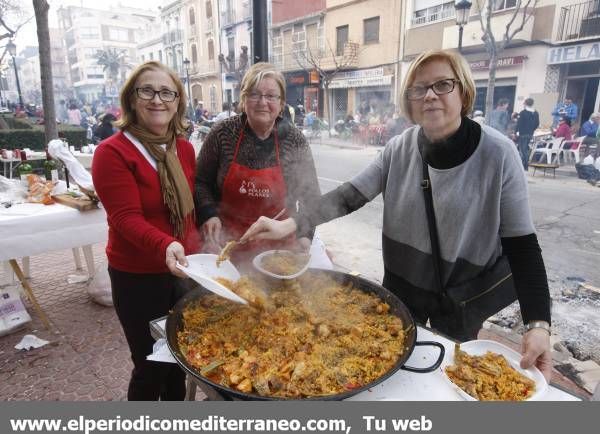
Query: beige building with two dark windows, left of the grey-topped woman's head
(366, 37)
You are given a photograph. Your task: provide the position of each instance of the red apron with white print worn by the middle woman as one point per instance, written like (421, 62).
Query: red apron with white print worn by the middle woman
(248, 194)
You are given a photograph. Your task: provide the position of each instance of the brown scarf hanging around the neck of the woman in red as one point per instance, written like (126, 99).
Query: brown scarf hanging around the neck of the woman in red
(173, 184)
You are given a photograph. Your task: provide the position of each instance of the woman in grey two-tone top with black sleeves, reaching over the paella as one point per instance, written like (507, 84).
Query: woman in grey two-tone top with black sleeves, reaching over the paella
(481, 206)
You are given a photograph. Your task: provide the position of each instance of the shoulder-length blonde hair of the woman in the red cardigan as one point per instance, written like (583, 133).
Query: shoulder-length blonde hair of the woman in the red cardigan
(128, 116)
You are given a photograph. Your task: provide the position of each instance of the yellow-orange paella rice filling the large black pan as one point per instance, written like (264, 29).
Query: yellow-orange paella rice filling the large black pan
(310, 337)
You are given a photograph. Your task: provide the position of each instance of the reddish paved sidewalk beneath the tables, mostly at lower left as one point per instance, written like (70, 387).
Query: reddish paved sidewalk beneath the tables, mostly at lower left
(88, 358)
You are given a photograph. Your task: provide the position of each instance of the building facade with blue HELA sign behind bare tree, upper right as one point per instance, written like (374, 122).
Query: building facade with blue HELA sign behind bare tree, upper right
(552, 44)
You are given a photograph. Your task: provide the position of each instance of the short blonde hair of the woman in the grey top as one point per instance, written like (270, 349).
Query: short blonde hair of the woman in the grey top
(461, 70)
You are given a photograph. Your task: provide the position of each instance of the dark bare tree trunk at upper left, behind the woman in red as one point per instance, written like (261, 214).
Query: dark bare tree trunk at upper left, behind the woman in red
(41, 17)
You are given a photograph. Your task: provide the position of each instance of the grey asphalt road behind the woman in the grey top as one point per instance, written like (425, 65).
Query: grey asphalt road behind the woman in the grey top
(566, 213)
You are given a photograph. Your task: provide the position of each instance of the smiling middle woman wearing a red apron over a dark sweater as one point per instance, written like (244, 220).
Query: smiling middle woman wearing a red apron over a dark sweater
(254, 164)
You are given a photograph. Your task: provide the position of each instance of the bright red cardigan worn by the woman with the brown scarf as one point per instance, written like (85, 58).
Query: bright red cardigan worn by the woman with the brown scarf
(139, 230)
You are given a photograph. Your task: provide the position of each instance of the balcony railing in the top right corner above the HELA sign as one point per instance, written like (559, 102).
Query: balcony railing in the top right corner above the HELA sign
(579, 21)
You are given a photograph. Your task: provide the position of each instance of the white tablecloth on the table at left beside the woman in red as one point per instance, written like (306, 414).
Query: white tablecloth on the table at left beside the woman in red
(29, 229)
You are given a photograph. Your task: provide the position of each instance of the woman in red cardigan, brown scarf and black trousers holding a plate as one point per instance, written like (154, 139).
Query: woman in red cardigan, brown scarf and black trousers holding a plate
(144, 176)
